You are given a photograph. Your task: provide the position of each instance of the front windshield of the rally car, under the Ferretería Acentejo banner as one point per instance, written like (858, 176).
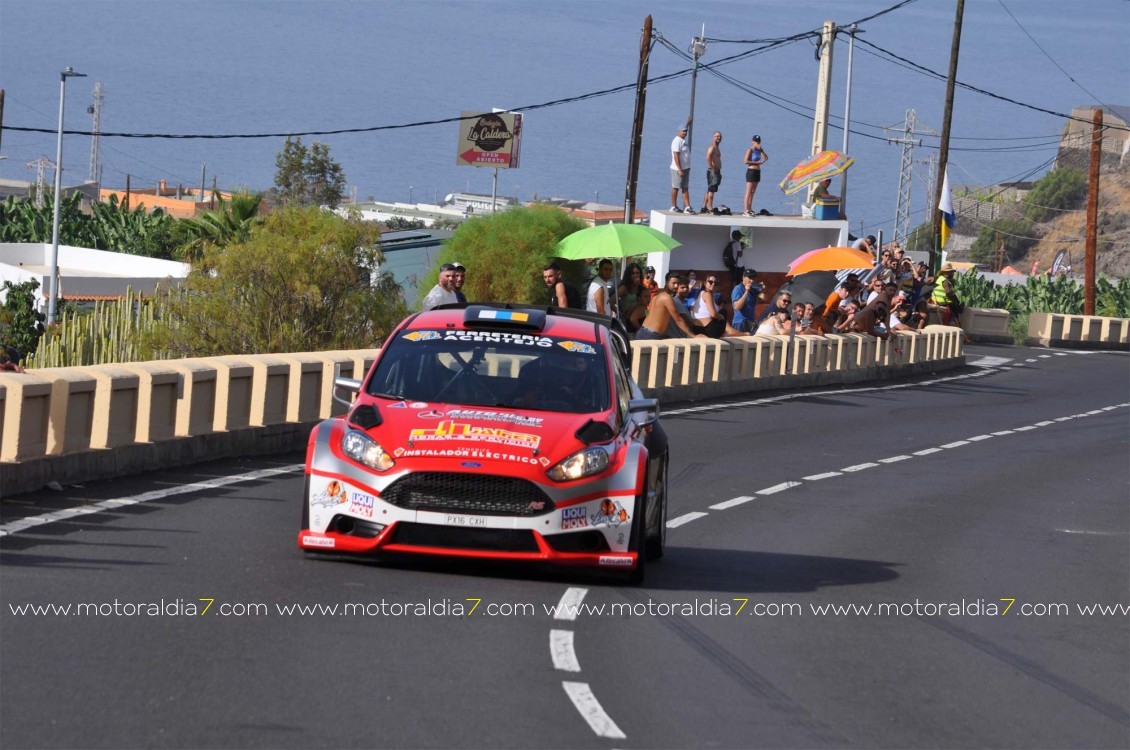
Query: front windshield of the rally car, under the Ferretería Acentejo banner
(490, 369)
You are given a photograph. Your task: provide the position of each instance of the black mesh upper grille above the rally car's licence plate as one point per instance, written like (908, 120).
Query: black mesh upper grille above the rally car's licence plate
(448, 493)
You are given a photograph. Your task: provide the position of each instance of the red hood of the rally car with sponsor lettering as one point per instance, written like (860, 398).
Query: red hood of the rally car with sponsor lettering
(456, 435)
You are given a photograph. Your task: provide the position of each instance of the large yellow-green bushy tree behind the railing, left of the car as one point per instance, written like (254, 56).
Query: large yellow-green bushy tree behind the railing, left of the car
(301, 282)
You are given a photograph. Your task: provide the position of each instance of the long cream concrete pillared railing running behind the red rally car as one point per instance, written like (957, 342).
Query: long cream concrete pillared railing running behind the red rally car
(57, 424)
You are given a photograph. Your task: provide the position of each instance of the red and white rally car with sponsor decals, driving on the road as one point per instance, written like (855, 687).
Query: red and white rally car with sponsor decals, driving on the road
(494, 432)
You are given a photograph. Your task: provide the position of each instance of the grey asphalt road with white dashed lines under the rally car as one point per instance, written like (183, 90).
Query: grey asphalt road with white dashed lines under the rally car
(984, 509)
